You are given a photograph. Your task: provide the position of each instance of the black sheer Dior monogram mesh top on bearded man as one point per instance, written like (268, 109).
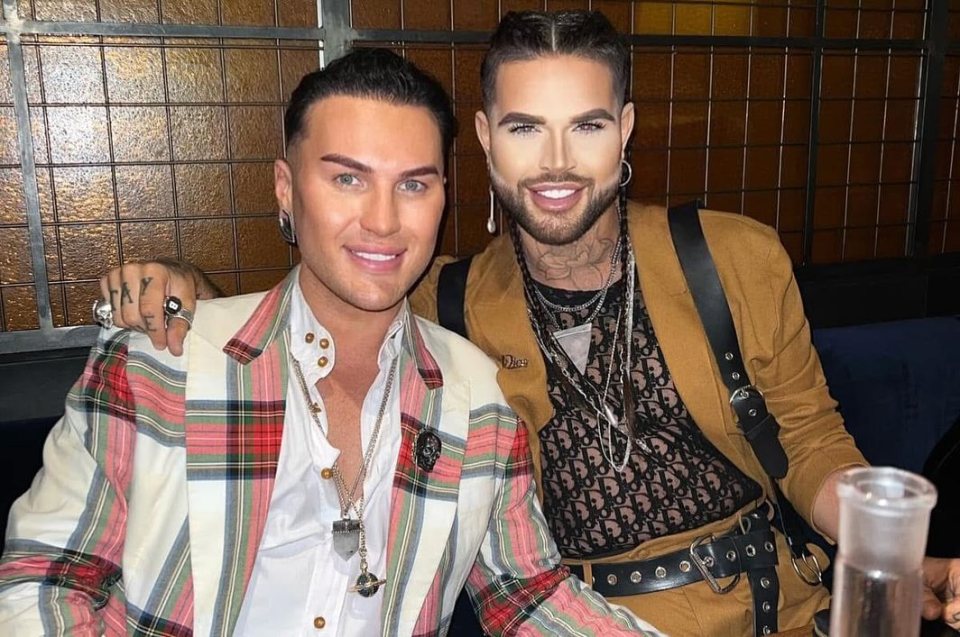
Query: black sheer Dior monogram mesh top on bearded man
(675, 479)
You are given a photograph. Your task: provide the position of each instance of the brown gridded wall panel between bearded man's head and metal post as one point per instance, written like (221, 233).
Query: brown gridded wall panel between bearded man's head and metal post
(727, 126)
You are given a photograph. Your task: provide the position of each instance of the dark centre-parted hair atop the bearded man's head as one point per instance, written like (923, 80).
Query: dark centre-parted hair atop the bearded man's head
(527, 35)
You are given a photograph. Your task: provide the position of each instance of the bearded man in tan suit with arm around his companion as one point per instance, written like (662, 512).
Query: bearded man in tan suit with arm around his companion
(649, 486)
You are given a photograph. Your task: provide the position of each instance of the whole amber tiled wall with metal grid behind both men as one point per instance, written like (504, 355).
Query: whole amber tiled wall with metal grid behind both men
(149, 146)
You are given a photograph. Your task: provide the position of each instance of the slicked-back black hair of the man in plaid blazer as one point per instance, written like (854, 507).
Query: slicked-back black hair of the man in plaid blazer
(371, 73)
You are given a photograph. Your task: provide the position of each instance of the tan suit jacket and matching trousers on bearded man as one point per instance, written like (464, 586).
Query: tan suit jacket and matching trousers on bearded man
(774, 335)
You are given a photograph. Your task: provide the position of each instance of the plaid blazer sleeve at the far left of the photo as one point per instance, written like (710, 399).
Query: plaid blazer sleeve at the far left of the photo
(65, 535)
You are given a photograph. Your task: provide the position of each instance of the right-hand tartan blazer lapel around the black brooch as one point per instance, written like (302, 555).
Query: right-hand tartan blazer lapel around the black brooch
(424, 504)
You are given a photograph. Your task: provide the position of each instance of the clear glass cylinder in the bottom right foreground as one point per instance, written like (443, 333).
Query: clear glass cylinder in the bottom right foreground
(877, 588)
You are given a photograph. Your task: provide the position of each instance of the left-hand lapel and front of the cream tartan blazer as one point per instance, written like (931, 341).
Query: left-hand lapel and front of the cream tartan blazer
(235, 404)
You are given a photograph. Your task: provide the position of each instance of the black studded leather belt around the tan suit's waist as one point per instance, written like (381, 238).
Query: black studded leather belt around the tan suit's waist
(750, 549)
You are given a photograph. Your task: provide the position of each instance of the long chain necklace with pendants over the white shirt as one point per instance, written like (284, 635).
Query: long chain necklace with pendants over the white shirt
(349, 535)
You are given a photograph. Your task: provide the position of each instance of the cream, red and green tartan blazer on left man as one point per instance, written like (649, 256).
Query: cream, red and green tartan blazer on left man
(147, 515)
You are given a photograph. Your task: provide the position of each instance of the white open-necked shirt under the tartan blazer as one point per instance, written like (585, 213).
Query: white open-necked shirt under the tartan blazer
(299, 584)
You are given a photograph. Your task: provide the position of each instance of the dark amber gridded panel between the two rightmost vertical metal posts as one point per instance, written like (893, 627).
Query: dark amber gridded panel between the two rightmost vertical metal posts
(868, 137)
